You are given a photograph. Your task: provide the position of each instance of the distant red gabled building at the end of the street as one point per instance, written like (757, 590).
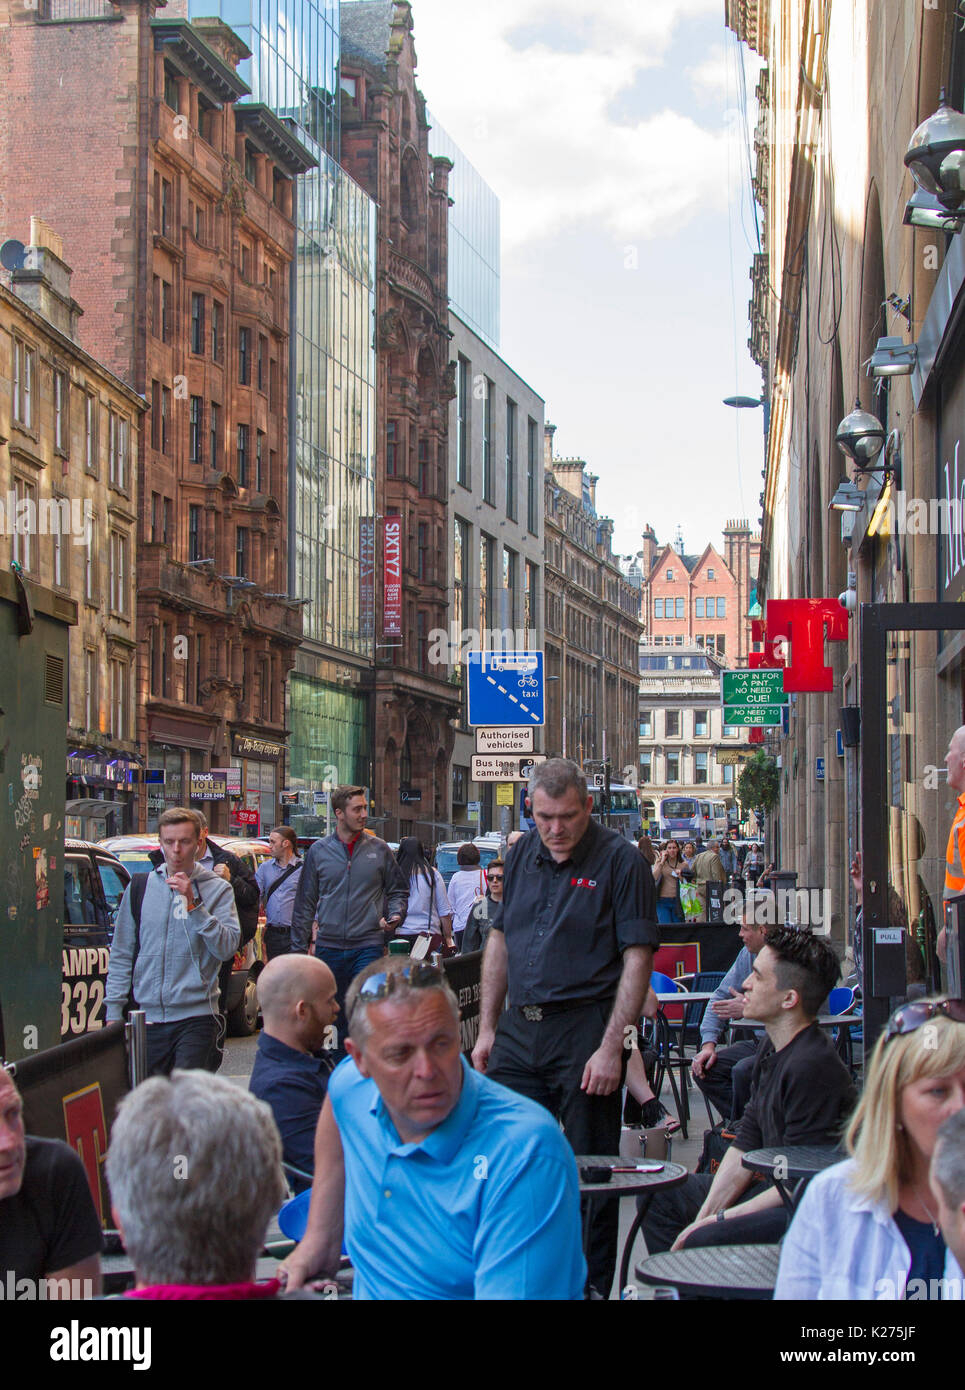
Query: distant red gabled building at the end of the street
(702, 598)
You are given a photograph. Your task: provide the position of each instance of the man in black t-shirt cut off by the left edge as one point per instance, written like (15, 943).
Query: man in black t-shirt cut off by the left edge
(49, 1228)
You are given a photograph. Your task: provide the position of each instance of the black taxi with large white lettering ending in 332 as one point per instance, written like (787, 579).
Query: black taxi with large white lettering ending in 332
(94, 886)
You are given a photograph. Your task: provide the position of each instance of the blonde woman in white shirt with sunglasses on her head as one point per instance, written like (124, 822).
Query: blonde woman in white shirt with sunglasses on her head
(867, 1228)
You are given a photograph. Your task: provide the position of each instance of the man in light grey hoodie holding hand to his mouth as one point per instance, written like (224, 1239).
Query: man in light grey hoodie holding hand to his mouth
(169, 953)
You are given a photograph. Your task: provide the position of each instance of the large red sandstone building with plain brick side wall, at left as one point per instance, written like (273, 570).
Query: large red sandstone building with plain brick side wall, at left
(176, 209)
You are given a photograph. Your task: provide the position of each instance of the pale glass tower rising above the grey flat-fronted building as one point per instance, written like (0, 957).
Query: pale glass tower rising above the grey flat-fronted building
(473, 241)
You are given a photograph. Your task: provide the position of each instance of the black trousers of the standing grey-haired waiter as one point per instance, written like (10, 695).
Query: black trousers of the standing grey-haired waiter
(546, 1061)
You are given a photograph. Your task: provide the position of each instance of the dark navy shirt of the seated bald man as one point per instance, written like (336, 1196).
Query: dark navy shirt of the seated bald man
(294, 1085)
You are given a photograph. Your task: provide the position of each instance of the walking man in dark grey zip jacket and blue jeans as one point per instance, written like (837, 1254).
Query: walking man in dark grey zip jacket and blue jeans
(350, 883)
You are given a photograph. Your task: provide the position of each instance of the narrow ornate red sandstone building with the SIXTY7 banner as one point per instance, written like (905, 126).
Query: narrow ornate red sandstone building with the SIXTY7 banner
(386, 149)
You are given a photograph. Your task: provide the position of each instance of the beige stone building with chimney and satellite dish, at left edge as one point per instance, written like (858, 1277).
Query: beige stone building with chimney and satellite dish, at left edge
(69, 486)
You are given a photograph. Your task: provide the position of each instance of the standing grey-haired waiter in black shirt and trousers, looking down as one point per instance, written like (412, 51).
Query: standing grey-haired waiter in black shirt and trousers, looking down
(575, 947)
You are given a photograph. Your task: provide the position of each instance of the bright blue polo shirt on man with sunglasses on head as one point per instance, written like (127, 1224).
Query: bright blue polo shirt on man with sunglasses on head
(486, 1207)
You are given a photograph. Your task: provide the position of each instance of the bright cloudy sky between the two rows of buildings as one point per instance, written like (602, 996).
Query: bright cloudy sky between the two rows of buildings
(613, 133)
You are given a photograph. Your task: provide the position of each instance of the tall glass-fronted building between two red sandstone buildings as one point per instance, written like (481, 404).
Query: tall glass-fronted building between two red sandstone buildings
(332, 493)
